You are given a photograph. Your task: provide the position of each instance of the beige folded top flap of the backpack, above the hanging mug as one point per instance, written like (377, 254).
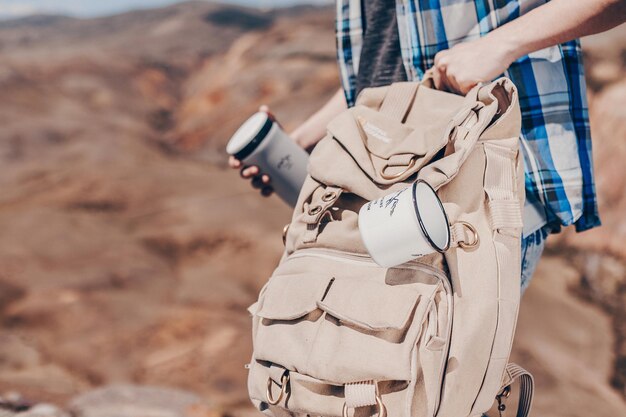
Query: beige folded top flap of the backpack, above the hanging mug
(388, 144)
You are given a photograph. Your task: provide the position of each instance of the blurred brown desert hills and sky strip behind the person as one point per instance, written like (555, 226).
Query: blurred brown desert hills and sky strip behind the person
(129, 251)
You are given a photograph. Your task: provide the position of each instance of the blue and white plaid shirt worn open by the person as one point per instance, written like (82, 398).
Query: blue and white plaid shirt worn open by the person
(556, 140)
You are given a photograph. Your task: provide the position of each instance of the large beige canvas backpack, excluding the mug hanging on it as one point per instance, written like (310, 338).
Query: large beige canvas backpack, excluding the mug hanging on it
(334, 333)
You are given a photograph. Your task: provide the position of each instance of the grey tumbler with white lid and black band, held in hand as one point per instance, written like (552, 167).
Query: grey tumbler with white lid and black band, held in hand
(261, 141)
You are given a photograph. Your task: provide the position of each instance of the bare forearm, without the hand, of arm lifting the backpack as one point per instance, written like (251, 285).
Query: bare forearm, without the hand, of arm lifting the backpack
(556, 22)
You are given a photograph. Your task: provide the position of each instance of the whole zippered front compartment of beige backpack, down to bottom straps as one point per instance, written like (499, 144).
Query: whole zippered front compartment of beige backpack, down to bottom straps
(389, 326)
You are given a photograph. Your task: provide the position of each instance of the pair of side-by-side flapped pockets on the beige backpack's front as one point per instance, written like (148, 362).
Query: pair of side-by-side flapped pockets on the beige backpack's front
(362, 322)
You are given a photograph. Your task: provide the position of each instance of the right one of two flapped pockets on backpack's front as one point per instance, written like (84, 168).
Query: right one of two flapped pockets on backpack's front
(368, 331)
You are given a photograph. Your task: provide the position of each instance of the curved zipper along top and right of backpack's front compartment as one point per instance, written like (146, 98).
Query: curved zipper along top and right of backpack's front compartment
(363, 259)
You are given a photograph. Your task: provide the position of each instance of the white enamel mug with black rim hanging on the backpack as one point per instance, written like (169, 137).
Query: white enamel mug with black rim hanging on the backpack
(404, 225)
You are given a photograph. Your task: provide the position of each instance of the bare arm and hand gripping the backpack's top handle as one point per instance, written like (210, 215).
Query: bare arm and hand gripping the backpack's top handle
(466, 64)
